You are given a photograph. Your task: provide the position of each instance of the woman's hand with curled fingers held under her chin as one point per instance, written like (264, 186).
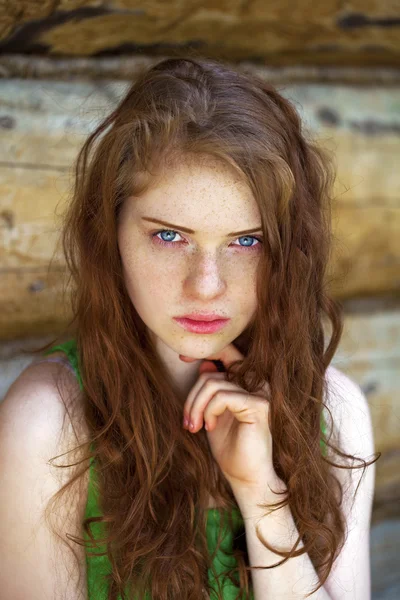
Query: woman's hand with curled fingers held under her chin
(236, 423)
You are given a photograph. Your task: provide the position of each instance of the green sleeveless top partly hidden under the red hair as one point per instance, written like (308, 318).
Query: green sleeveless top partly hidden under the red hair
(99, 566)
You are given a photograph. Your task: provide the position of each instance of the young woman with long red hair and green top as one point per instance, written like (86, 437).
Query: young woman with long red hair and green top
(198, 240)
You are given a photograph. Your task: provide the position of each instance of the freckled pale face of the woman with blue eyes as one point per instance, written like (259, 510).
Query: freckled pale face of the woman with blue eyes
(202, 271)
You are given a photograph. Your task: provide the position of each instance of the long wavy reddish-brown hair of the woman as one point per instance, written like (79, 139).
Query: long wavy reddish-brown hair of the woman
(154, 478)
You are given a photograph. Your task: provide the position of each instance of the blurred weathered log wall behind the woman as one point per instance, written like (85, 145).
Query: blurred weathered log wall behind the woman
(64, 64)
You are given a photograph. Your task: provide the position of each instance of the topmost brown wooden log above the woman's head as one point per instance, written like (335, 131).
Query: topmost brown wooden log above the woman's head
(278, 33)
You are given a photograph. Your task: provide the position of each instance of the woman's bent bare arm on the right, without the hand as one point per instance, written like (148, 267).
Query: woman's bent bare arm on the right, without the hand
(350, 575)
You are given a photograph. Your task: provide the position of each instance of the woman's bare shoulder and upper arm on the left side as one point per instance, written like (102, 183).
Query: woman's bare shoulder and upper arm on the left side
(40, 420)
